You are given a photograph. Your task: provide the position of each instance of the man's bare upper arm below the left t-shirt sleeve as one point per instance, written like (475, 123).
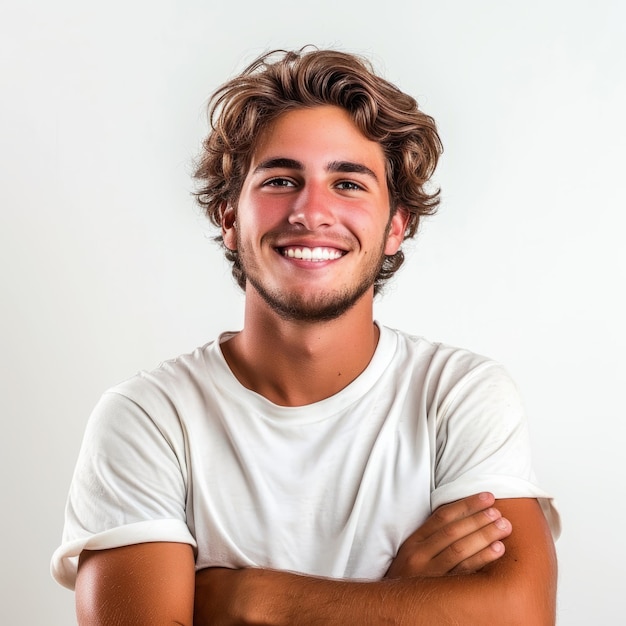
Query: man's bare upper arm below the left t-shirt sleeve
(137, 585)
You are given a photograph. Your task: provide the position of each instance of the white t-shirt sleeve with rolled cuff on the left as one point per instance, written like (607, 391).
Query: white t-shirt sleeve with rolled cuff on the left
(129, 484)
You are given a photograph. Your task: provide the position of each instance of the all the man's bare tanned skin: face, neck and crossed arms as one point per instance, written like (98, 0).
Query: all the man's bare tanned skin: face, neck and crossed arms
(309, 332)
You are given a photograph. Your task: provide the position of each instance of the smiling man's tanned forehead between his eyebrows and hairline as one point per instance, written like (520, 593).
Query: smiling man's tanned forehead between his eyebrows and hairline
(322, 132)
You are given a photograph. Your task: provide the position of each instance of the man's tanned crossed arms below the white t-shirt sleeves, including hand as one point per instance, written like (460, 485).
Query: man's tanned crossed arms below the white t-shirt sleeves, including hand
(475, 561)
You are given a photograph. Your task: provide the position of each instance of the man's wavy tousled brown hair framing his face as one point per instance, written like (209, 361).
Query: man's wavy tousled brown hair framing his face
(282, 80)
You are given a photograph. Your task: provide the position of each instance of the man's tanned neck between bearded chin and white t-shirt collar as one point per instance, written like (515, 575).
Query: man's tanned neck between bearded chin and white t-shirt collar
(294, 363)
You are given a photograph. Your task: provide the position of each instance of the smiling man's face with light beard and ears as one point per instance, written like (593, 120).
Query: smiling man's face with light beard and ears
(312, 224)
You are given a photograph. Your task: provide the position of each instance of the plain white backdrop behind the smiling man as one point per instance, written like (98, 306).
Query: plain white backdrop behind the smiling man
(108, 266)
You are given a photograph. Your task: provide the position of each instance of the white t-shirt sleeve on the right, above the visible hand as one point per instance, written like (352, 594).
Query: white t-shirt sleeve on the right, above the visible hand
(483, 442)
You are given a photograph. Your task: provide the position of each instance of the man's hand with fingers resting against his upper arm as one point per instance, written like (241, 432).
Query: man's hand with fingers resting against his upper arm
(458, 538)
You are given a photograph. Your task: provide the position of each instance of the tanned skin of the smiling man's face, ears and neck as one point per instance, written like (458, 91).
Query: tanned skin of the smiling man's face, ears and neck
(293, 361)
